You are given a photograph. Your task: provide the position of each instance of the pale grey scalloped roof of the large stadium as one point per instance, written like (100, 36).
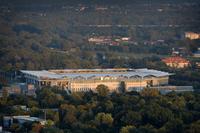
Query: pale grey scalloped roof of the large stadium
(87, 73)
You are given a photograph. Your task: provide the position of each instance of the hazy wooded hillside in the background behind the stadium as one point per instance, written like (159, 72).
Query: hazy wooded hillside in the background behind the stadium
(38, 34)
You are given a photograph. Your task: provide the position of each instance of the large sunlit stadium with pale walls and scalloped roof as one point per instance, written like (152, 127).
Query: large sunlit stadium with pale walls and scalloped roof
(76, 80)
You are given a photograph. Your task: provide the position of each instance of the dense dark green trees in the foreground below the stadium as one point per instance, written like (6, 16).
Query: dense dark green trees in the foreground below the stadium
(127, 112)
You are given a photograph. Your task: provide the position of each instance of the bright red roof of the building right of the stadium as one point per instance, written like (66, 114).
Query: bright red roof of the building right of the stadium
(176, 59)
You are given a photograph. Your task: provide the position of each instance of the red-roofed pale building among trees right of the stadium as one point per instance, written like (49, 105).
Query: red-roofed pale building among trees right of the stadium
(176, 62)
